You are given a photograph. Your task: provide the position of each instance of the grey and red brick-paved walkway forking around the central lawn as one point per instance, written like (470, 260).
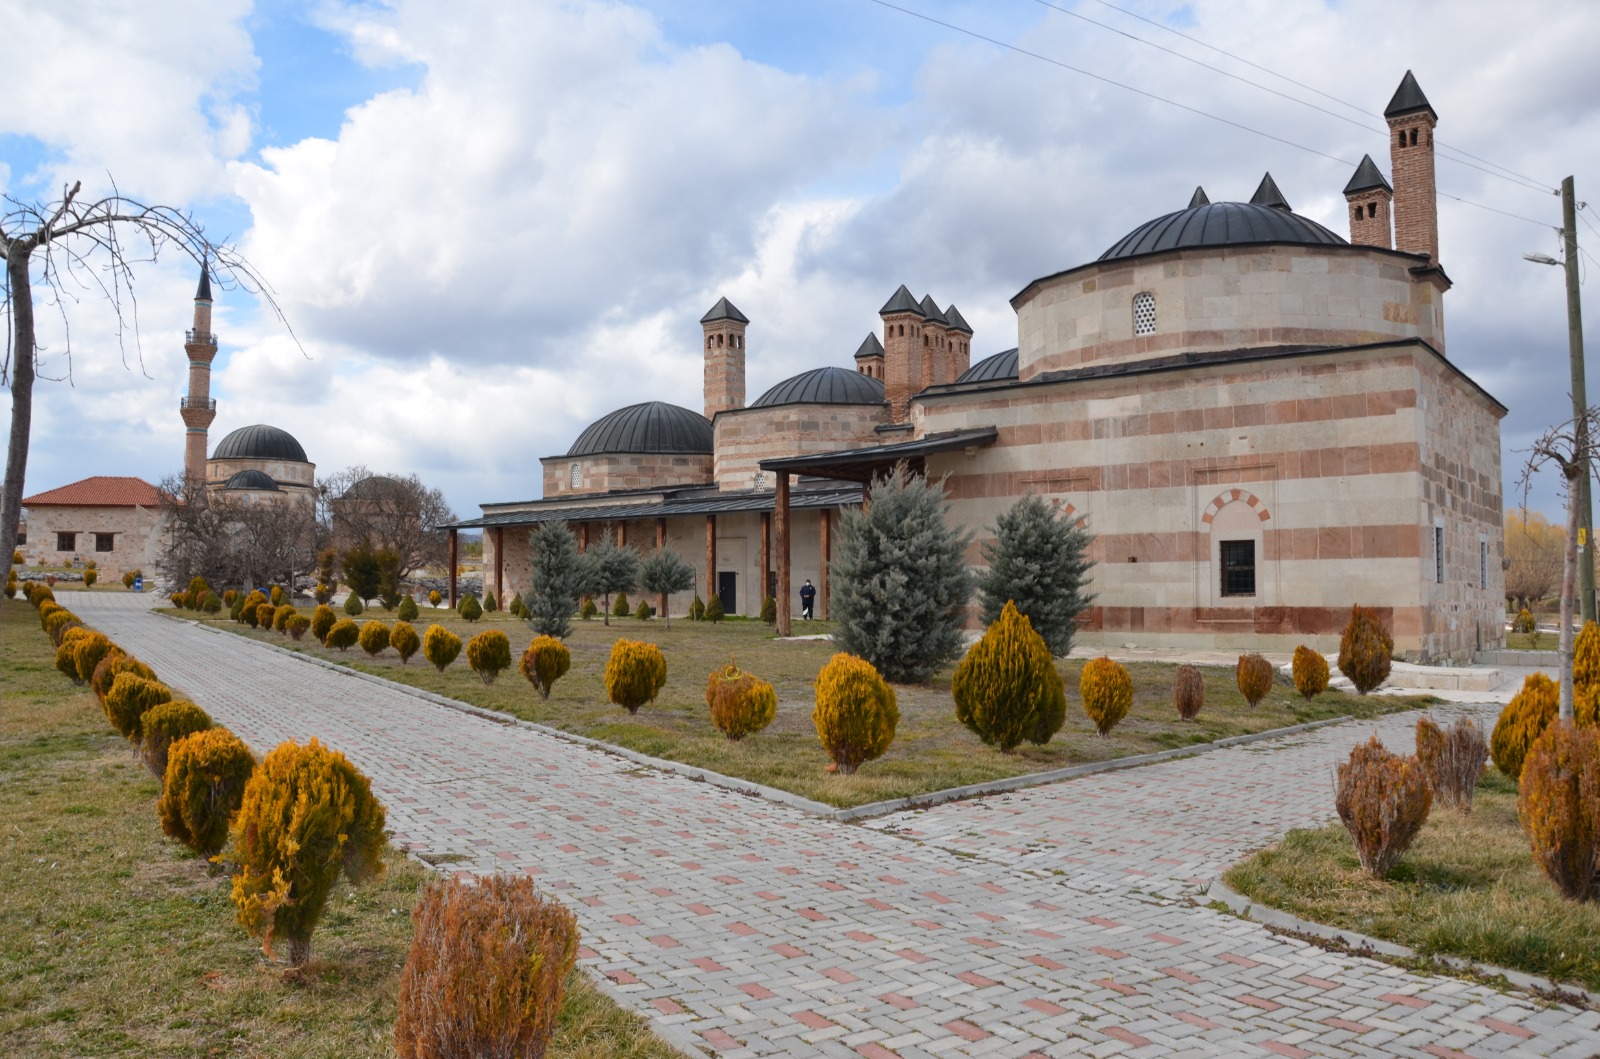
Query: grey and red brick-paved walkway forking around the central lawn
(1047, 922)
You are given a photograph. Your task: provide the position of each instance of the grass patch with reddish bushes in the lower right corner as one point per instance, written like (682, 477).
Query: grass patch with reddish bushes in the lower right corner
(1468, 889)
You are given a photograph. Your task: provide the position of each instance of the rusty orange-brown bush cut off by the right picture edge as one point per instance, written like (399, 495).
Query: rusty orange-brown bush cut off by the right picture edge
(1559, 807)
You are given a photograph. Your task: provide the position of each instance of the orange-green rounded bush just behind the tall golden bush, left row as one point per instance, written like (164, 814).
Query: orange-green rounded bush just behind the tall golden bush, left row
(204, 785)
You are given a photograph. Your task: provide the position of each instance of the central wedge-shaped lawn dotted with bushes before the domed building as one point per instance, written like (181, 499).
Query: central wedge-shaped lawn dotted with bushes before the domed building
(932, 749)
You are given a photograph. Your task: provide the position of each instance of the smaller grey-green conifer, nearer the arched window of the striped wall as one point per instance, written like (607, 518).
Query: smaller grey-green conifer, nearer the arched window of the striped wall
(1039, 562)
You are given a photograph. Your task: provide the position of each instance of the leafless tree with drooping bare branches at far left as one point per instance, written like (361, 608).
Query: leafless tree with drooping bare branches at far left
(73, 246)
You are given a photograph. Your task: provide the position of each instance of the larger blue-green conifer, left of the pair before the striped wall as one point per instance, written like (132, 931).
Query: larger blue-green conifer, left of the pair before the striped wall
(900, 580)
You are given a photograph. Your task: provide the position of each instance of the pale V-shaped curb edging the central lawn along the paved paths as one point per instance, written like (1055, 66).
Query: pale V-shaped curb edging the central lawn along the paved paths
(783, 797)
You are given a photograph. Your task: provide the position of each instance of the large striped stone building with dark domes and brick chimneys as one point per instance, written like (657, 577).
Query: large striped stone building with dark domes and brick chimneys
(1257, 418)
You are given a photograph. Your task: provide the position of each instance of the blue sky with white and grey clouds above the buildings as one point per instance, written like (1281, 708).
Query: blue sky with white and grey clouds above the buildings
(490, 223)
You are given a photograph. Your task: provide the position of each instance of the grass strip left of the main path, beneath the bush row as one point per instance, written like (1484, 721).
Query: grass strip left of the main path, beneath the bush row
(118, 941)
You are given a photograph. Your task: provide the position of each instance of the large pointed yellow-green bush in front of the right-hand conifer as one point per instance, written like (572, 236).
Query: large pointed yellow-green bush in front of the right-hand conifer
(1007, 689)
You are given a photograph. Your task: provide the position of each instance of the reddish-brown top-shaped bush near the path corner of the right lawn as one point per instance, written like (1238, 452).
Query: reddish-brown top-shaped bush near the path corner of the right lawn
(1383, 801)
